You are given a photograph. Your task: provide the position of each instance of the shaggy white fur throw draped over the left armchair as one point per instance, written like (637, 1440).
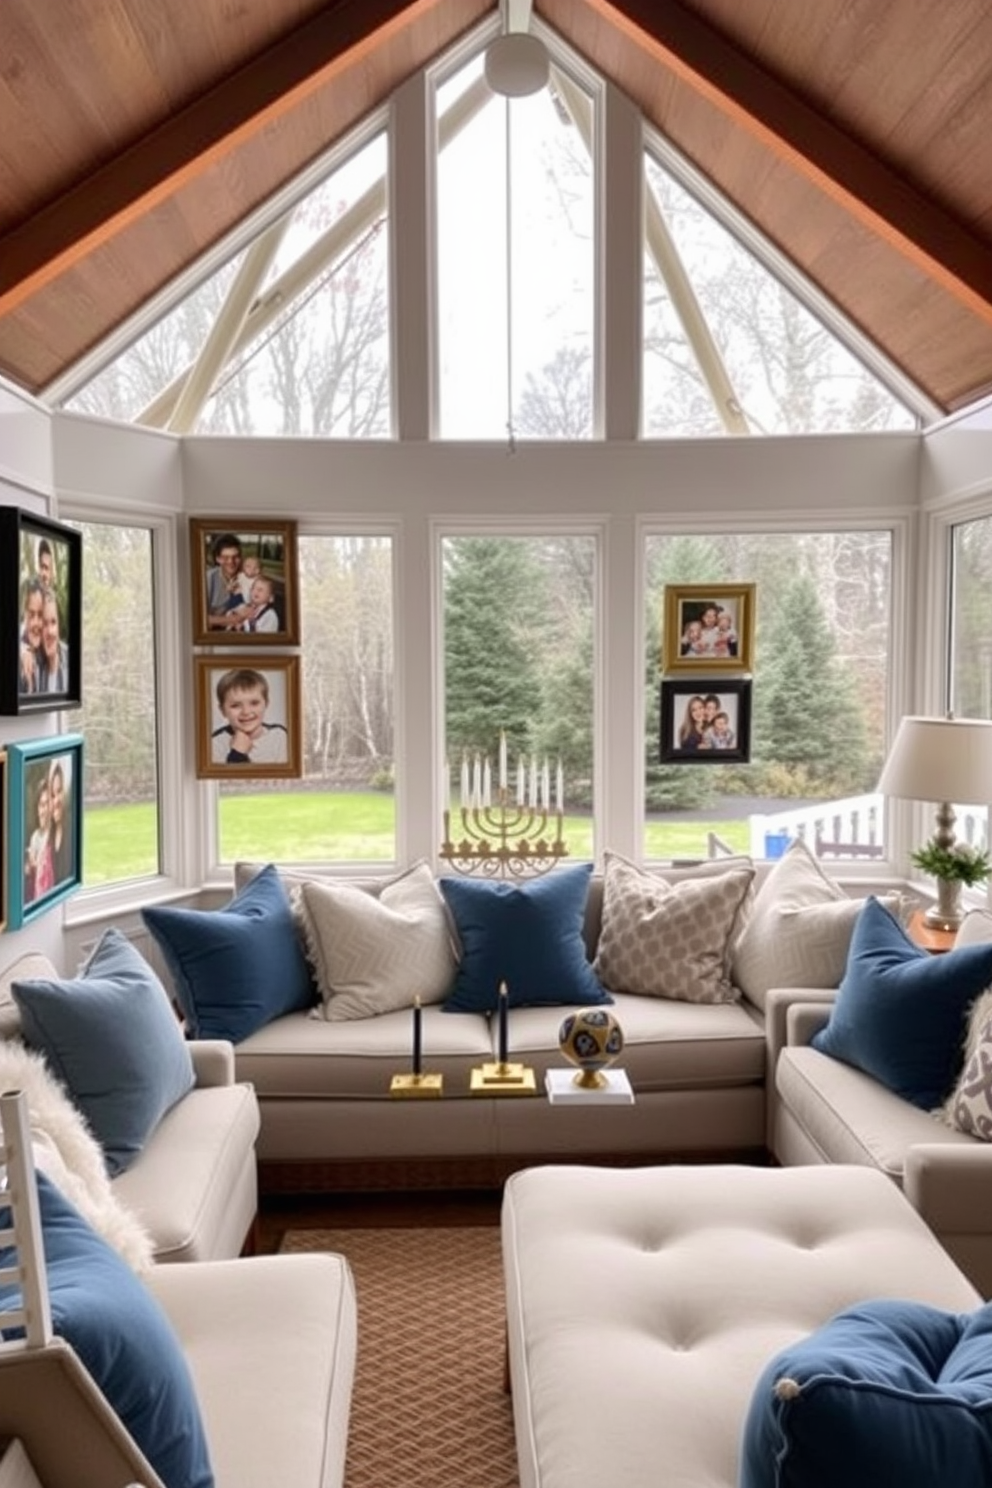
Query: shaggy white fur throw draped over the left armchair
(71, 1155)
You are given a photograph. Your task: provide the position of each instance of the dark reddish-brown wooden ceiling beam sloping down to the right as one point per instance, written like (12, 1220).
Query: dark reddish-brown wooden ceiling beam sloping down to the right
(918, 227)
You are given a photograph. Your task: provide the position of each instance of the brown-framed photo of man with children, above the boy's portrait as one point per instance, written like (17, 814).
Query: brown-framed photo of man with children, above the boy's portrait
(245, 584)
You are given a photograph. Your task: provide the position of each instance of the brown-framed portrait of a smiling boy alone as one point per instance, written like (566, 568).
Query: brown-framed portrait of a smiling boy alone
(249, 718)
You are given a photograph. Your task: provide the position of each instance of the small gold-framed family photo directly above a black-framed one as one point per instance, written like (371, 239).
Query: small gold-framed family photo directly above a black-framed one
(709, 627)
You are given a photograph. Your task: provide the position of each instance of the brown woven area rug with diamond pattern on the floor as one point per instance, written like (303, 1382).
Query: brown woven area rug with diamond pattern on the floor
(429, 1407)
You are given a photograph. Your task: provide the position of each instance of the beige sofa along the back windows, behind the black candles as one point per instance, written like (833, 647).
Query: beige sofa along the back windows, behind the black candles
(328, 1118)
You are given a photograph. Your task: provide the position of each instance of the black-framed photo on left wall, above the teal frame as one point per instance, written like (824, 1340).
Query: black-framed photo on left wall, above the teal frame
(41, 614)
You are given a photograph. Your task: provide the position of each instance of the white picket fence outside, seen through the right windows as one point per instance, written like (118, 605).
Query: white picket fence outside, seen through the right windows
(846, 830)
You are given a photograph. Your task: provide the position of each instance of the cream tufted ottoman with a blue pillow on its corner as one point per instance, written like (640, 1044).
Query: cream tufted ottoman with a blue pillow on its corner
(643, 1304)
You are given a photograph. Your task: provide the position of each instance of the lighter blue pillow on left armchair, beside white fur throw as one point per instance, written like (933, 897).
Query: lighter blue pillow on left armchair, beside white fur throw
(114, 1041)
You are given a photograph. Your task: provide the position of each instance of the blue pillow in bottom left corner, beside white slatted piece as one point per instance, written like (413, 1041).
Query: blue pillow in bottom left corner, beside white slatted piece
(123, 1337)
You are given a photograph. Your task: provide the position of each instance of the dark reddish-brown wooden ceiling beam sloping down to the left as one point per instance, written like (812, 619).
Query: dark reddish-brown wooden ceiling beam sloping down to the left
(335, 41)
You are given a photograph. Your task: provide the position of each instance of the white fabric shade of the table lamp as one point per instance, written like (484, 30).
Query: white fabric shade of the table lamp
(941, 760)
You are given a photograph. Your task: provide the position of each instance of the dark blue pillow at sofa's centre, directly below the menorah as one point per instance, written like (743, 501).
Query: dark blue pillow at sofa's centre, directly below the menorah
(526, 935)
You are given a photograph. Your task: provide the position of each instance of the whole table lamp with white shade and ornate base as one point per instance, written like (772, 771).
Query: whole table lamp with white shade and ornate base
(944, 760)
